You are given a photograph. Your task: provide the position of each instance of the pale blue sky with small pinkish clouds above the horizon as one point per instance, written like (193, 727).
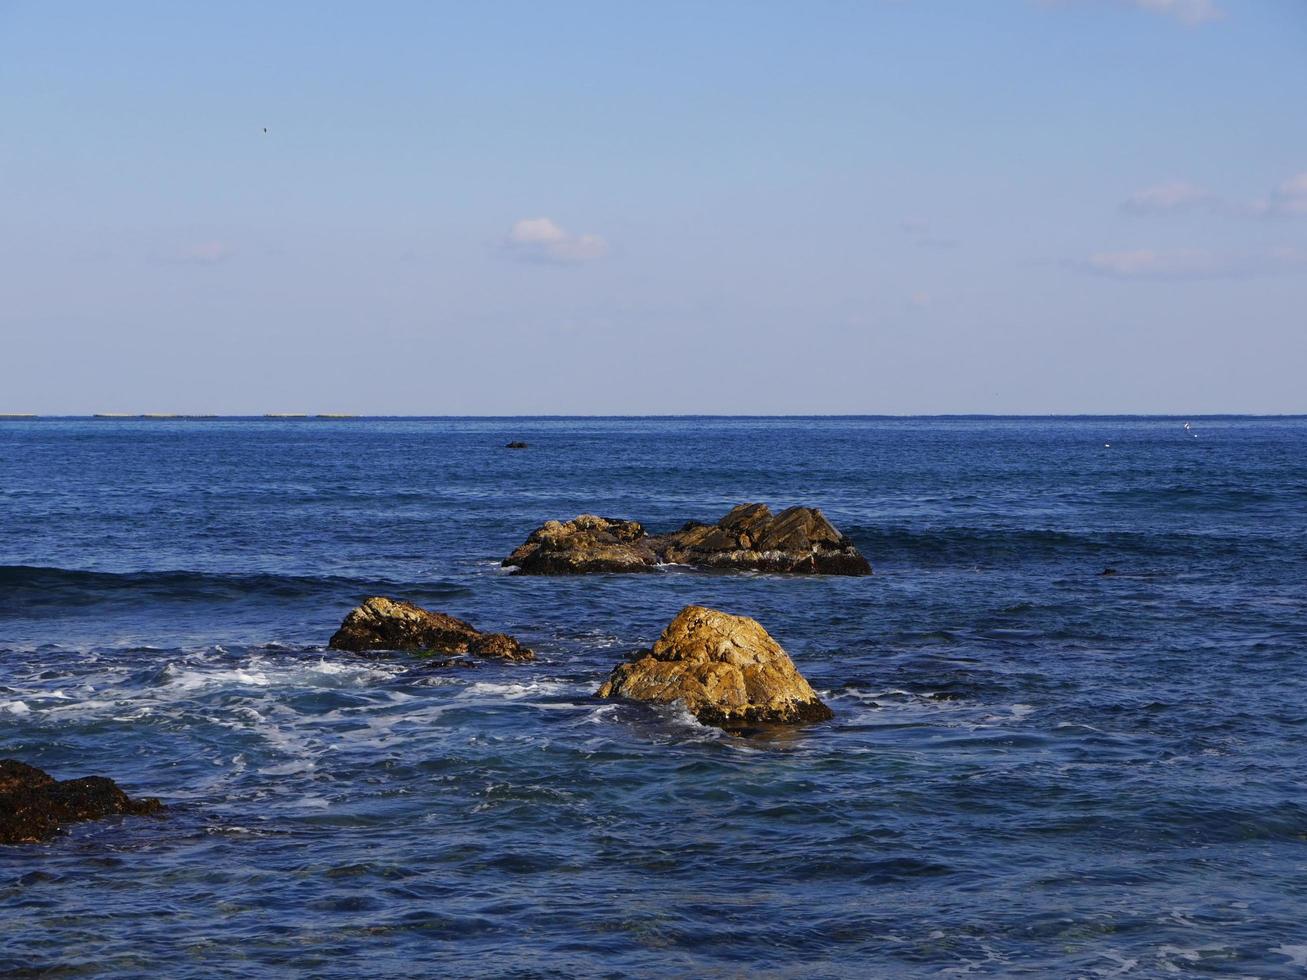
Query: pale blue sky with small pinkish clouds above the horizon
(876, 207)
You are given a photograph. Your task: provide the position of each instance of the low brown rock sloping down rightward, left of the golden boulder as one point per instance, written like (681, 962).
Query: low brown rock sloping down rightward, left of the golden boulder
(388, 624)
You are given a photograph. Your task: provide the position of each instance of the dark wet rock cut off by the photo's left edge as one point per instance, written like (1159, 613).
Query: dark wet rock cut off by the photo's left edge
(35, 806)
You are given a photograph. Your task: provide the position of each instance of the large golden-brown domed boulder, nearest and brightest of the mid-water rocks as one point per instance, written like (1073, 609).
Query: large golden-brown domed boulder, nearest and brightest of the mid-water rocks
(726, 670)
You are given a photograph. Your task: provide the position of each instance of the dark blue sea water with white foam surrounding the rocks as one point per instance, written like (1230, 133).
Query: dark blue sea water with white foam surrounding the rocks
(1033, 768)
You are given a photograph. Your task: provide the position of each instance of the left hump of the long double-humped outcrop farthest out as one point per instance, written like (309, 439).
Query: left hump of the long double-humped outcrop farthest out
(589, 544)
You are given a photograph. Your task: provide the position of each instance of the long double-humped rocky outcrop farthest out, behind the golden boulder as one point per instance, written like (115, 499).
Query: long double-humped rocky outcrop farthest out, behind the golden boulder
(751, 538)
